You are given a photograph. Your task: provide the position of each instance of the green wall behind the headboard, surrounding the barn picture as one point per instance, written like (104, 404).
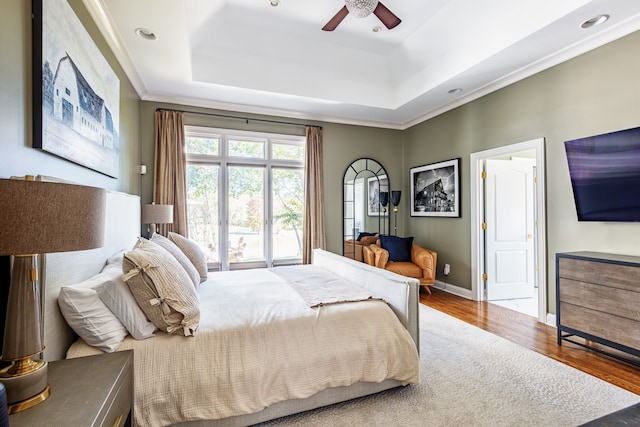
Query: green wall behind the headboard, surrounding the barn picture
(18, 158)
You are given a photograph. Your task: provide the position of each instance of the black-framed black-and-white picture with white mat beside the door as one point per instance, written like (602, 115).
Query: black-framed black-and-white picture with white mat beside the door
(435, 189)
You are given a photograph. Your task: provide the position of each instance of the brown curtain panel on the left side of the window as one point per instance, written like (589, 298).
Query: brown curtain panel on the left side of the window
(169, 169)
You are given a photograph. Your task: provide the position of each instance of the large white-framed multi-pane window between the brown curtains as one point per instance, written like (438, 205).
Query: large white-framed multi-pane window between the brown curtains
(245, 196)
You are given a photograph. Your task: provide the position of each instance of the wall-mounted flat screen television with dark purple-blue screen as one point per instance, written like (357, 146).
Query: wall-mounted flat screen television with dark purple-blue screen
(605, 176)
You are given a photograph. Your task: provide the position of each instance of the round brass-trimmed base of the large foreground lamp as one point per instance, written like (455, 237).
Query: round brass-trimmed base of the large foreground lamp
(25, 390)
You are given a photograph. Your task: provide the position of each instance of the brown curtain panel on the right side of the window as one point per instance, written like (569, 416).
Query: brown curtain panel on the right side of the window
(313, 225)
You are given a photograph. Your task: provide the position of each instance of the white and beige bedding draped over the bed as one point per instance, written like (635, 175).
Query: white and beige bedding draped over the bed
(258, 343)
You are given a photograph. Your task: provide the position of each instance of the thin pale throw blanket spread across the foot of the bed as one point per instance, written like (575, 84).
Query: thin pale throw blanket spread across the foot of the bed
(318, 287)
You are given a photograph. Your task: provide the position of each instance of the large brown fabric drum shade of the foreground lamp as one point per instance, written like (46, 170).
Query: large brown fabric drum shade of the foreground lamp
(42, 217)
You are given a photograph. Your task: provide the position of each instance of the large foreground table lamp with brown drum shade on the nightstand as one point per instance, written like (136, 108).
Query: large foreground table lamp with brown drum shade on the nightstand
(38, 217)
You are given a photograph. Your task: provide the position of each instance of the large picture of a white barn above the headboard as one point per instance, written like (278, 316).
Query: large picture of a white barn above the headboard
(76, 93)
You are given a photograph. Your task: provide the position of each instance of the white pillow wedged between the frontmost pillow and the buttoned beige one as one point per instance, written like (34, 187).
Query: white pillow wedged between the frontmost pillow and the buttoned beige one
(115, 294)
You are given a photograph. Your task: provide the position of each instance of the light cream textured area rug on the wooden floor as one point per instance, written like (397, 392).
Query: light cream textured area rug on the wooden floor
(469, 377)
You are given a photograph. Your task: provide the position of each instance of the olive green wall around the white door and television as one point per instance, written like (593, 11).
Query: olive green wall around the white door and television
(594, 93)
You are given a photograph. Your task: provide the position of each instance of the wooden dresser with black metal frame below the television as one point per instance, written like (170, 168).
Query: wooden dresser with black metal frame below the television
(598, 299)
